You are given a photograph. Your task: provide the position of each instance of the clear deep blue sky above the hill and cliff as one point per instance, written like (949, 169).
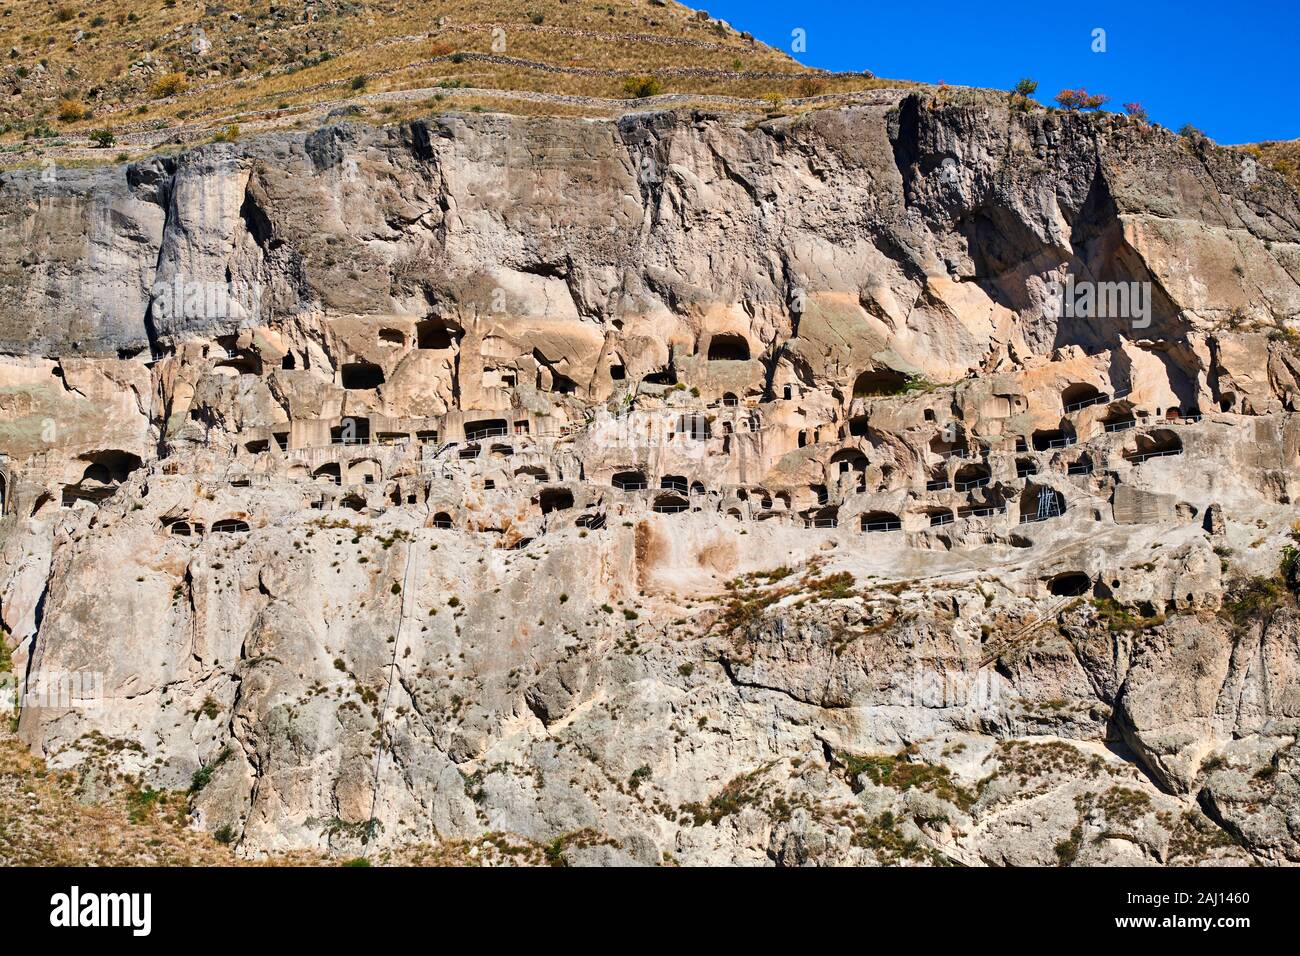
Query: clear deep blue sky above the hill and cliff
(1228, 68)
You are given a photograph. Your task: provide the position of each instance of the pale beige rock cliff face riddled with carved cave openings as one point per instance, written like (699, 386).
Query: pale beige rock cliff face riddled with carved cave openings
(686, 488)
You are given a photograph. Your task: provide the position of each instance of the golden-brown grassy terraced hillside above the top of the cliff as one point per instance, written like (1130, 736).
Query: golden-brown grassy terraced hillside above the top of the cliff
(162, 71)
